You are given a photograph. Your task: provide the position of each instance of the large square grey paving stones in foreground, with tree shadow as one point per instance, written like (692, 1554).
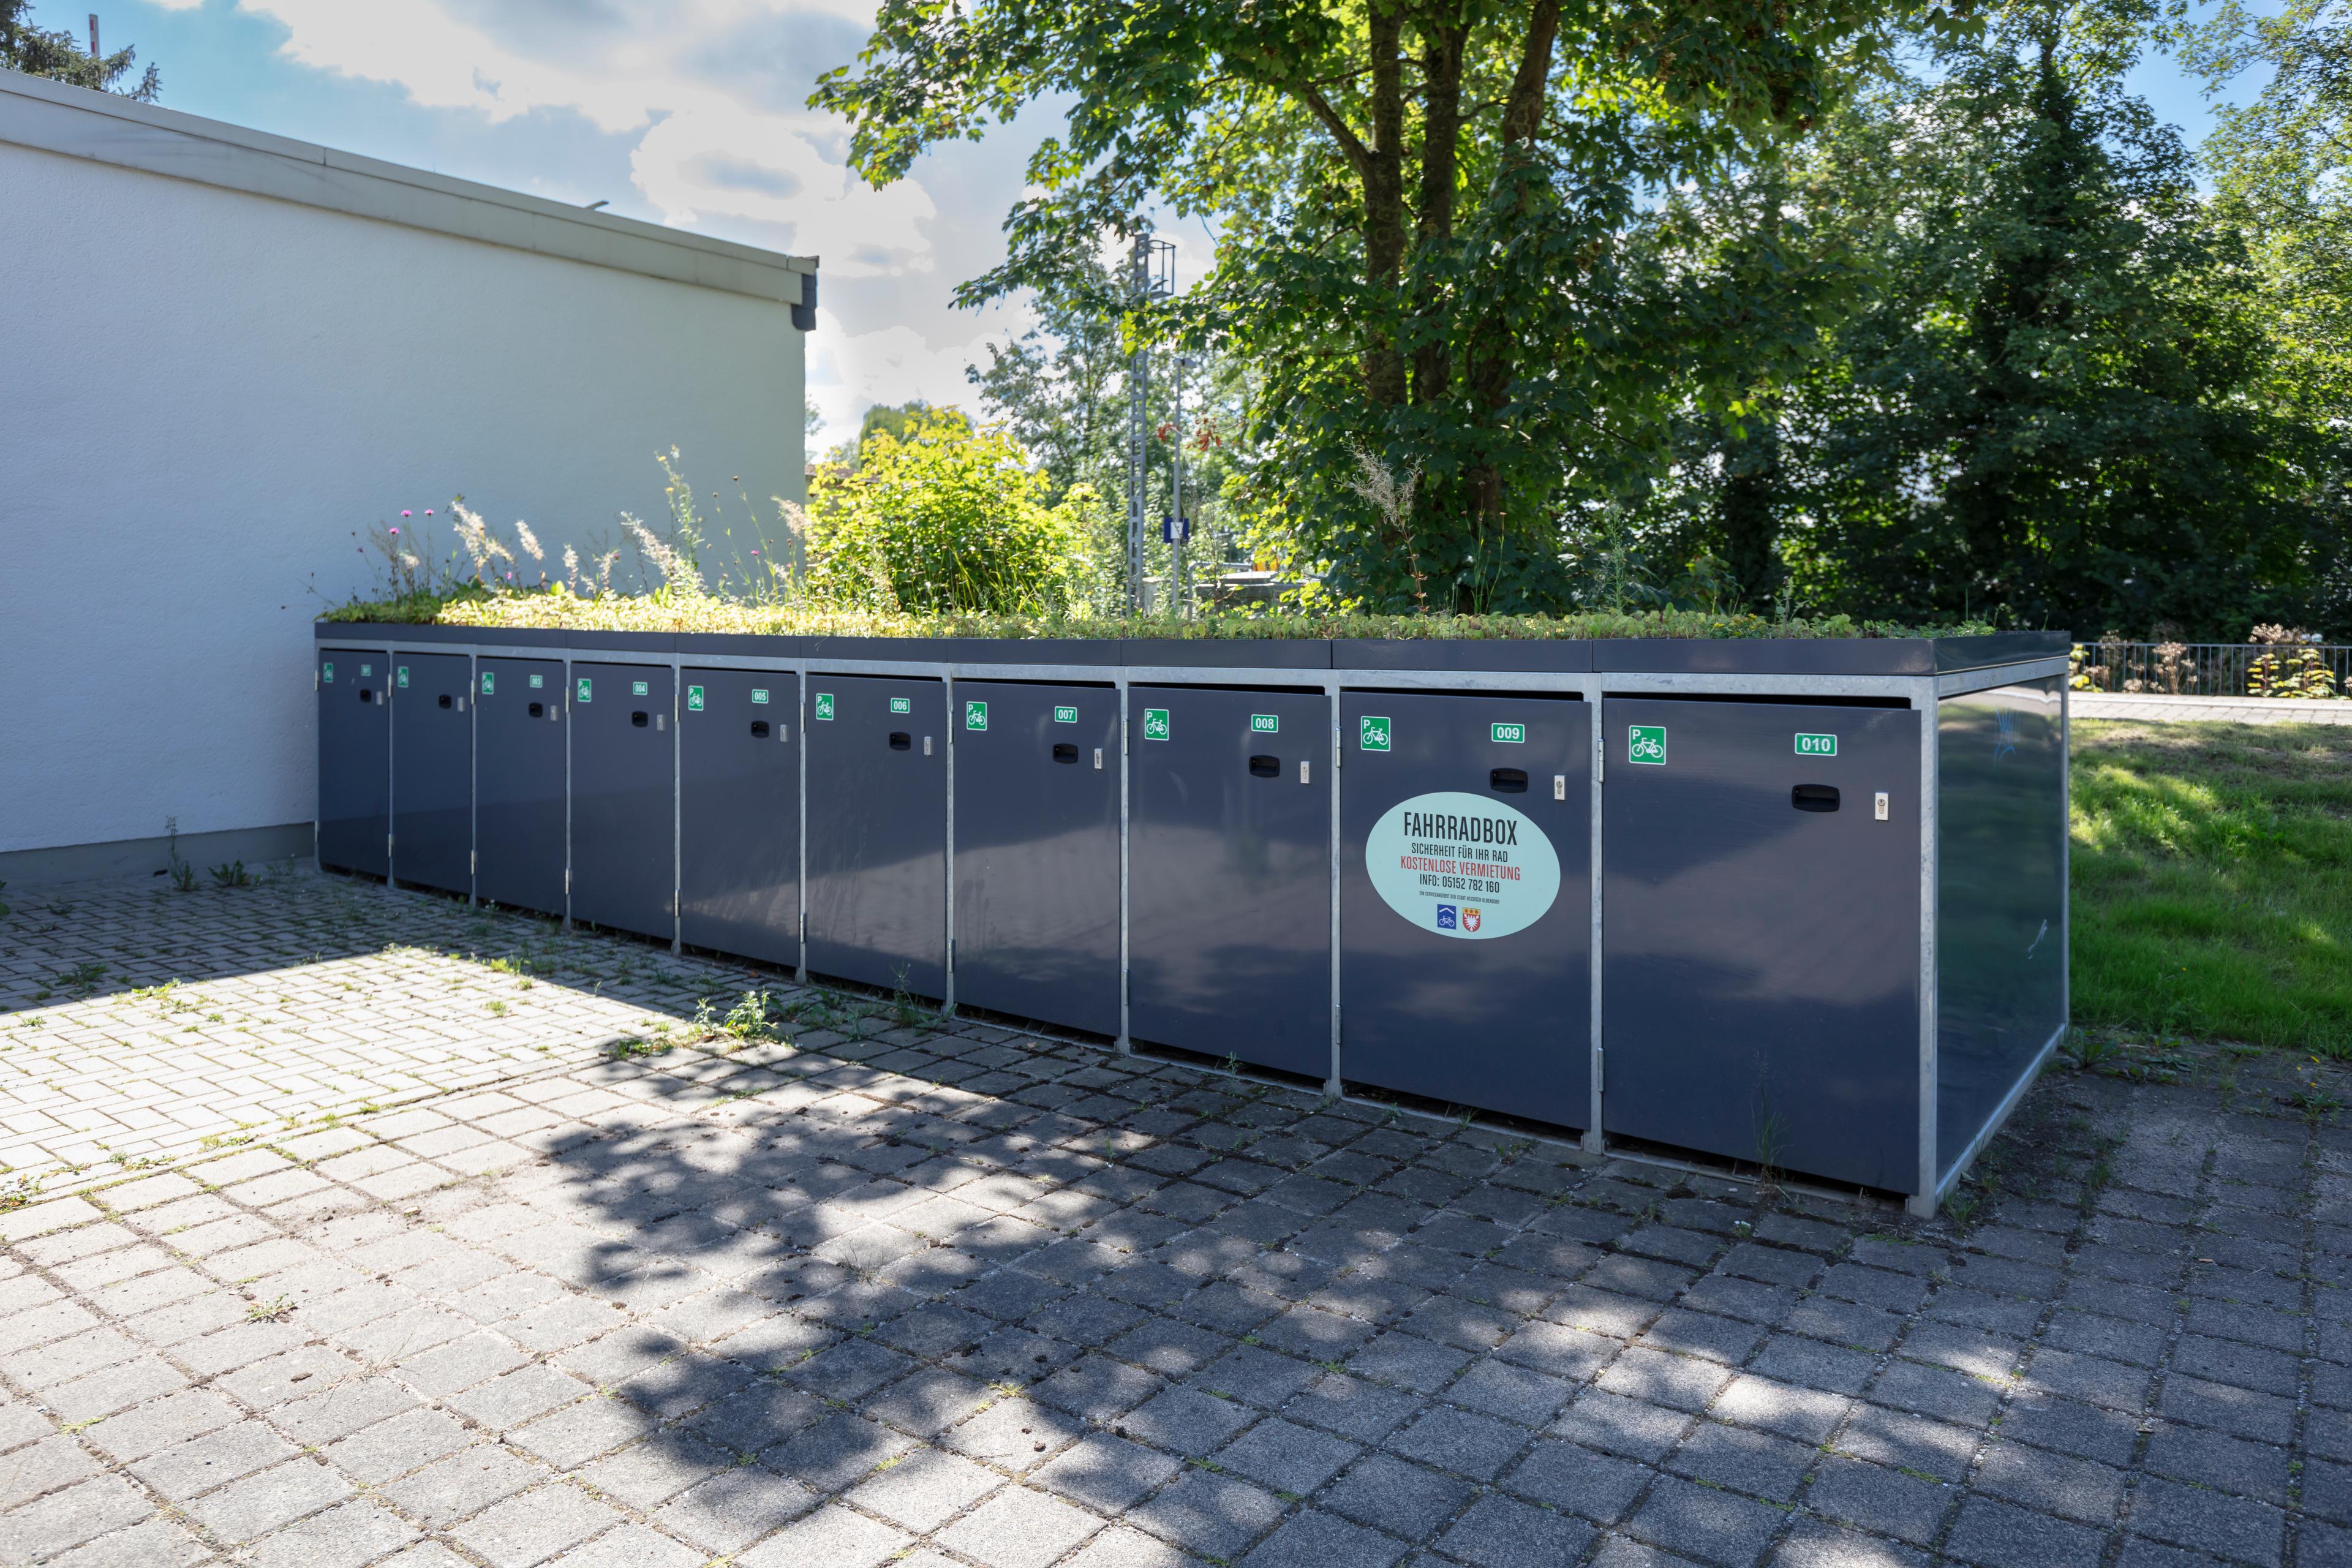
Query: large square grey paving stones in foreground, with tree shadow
(930, 1292)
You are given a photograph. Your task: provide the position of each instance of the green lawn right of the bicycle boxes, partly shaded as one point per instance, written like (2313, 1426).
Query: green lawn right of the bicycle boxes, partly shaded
(2214, 883)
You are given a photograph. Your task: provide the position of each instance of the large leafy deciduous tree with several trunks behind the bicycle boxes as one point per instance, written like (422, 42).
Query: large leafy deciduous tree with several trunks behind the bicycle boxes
(1422, 213)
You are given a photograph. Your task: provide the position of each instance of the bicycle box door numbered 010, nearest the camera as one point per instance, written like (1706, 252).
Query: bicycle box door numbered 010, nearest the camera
(1760, 934)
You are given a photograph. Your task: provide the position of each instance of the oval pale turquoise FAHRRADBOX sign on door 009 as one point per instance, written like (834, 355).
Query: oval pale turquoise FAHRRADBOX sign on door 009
(1462, 866)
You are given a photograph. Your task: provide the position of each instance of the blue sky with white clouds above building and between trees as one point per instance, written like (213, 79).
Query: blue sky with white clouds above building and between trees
(676, 112)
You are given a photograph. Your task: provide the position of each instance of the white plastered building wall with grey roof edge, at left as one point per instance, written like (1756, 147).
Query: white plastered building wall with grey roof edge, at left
(229, 359)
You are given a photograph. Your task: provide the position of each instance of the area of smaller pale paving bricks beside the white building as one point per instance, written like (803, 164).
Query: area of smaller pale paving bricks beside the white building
(142, 1024)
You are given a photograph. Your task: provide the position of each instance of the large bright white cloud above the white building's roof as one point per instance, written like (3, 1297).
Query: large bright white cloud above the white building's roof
(634, 67)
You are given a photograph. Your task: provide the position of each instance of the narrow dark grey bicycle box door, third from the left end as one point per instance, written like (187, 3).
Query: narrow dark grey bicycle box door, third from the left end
(519, 730)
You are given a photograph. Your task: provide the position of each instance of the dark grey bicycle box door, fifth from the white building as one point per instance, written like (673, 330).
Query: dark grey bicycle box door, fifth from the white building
(740, 815)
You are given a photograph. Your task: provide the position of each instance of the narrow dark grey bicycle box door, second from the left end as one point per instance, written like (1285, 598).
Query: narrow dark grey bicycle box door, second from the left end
(434, 772)
